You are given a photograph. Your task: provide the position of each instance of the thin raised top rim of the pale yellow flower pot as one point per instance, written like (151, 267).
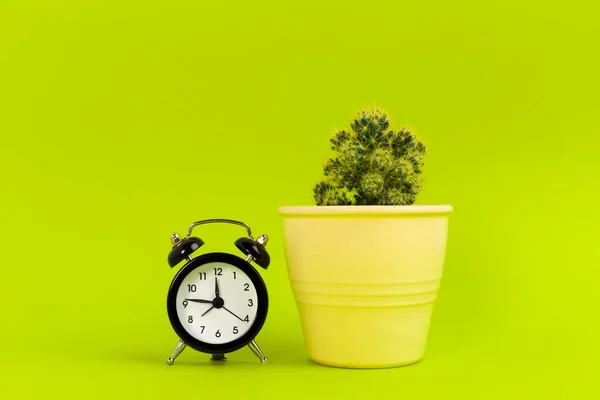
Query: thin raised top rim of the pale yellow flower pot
(366, 210)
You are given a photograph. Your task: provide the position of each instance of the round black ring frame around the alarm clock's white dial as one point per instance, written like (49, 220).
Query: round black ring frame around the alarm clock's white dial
(261, 306)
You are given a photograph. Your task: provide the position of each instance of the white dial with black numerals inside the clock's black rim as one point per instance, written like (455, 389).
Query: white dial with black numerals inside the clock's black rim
(209, 319)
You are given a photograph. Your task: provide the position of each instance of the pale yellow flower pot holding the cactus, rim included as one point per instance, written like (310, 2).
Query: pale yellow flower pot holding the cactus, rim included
(365, 280)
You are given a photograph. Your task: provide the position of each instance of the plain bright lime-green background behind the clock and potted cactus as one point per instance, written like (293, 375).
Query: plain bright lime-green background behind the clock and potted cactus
(124, 121)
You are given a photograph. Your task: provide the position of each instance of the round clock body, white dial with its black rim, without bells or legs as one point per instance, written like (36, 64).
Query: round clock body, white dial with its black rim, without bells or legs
(217, 303)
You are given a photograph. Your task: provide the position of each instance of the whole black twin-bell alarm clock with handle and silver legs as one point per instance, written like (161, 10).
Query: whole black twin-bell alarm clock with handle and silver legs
(217, 302)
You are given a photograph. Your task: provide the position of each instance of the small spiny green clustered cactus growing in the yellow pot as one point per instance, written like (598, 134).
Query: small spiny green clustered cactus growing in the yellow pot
(374, 165)
